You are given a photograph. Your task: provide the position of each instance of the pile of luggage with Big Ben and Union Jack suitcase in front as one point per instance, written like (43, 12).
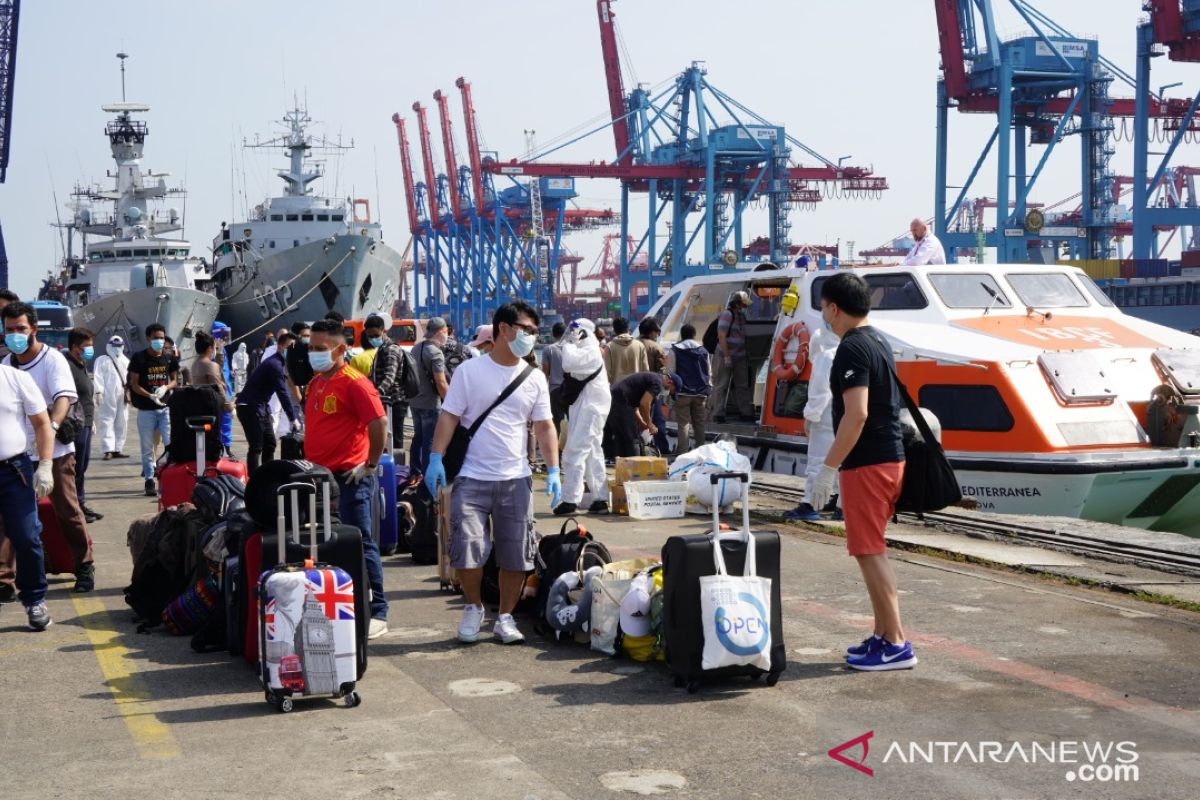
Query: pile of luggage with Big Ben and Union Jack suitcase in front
(259, 568)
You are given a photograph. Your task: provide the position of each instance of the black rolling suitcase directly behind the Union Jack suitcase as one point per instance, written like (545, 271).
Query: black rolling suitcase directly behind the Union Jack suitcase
(343, 549)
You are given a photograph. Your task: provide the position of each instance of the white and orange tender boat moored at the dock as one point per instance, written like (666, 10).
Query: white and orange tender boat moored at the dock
(1042, 387)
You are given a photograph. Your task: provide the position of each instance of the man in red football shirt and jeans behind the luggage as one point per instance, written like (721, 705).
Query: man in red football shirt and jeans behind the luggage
(346, 429)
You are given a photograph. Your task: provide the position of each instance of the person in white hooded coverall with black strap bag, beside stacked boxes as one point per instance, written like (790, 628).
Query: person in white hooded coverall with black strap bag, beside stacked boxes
(584, 454)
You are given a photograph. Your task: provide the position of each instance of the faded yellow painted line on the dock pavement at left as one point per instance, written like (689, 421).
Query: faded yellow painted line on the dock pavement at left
(152, 737)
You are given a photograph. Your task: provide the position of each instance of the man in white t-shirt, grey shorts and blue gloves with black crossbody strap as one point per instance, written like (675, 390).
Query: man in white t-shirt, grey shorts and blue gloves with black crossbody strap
(495, 486)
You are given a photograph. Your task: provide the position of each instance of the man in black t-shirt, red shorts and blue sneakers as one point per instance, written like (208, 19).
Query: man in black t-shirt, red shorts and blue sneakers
(869, 453)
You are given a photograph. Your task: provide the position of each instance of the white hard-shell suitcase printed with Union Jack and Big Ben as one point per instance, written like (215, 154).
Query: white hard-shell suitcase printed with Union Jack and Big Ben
(309, 645)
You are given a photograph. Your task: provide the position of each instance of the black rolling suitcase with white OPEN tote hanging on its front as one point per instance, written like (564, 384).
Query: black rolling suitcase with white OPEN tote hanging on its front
(686, 560)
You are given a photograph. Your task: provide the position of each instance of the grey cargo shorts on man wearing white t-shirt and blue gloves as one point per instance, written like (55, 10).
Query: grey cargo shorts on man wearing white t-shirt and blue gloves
(505, 507)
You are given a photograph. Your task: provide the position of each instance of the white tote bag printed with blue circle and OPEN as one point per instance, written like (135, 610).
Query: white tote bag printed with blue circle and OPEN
(736, 612)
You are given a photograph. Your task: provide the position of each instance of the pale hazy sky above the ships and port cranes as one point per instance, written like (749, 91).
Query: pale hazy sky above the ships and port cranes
(847, 79)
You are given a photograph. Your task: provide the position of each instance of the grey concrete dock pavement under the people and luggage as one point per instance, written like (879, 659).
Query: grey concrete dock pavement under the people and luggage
(1027, 689)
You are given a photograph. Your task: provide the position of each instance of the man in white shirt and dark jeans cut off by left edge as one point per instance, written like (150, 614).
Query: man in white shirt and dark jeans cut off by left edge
(21, 486)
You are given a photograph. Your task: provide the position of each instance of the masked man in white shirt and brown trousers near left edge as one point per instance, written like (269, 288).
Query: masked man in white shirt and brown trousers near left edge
(52, 374)
